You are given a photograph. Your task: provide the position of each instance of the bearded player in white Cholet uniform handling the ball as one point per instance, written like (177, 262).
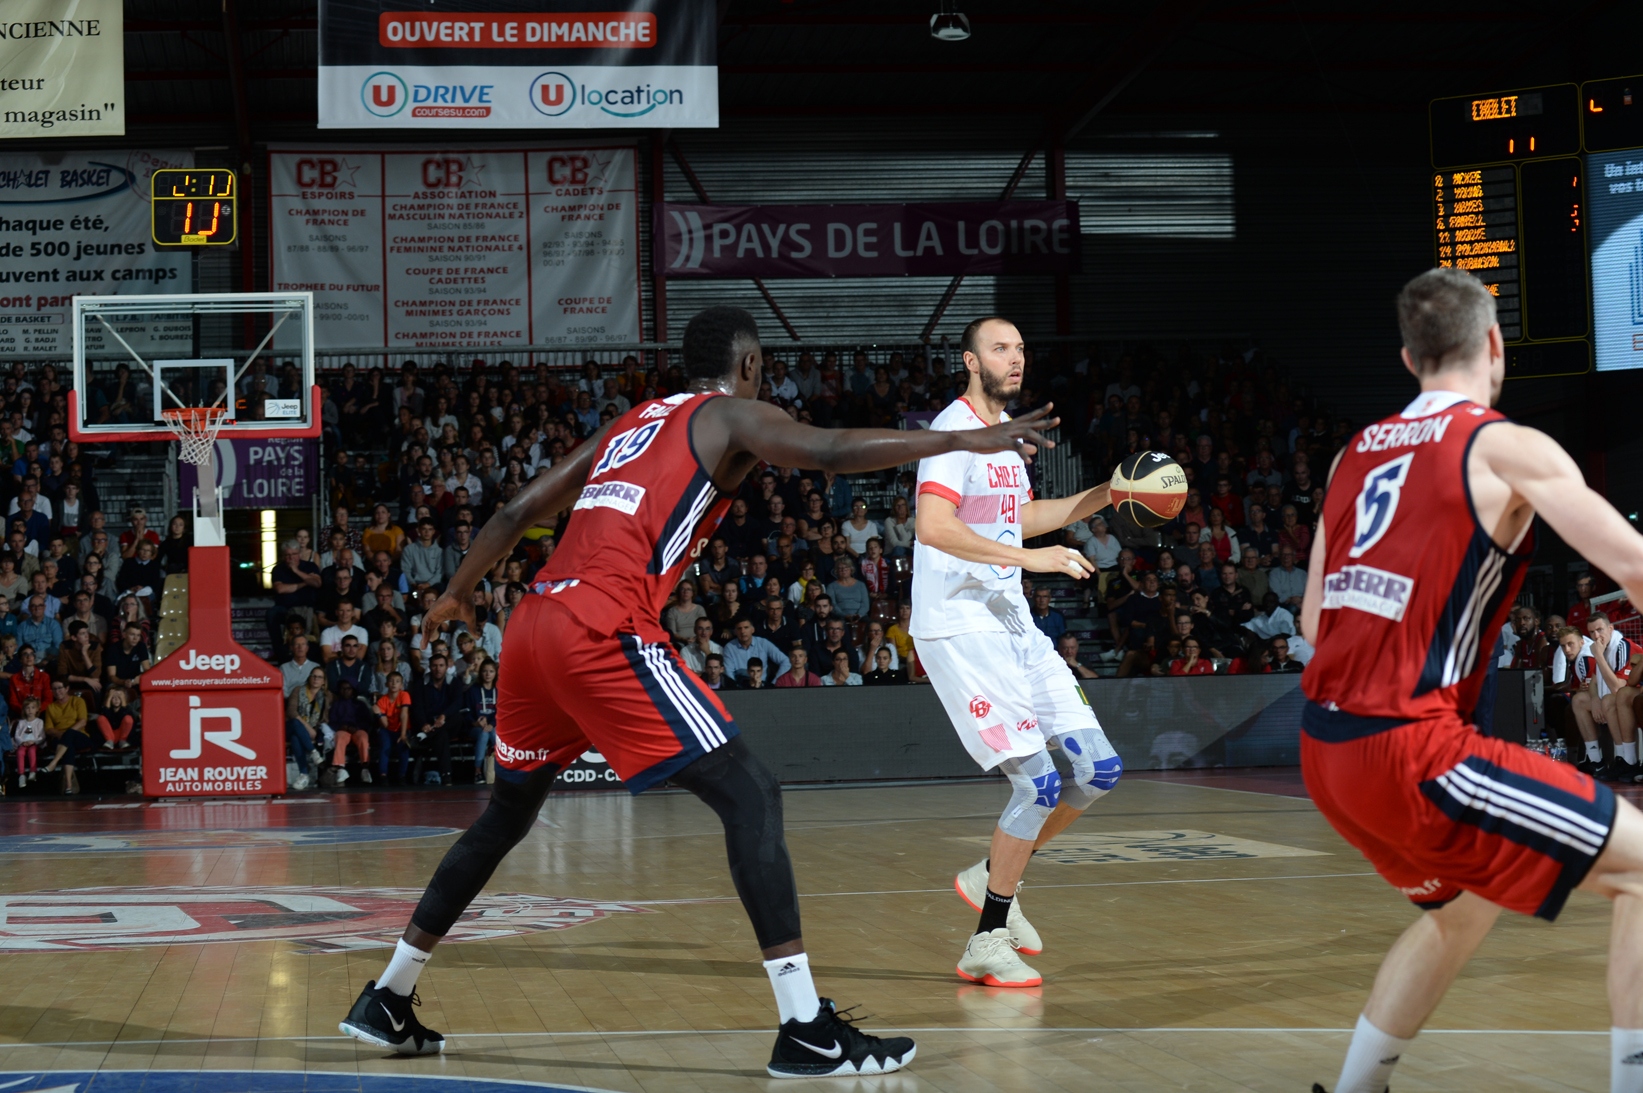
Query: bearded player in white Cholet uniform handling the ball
(1011, 698)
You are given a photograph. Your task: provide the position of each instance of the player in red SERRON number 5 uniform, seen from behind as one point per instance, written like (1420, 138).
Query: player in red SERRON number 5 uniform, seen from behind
(1420, 553)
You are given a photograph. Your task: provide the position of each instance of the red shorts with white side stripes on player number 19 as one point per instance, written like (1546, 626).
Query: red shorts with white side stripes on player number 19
(564, 689)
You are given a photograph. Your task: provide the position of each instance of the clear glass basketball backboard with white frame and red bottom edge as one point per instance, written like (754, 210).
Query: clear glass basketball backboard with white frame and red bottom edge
(140, 356)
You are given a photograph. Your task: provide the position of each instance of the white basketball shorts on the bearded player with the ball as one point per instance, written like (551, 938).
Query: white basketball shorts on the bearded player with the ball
(1006, 694)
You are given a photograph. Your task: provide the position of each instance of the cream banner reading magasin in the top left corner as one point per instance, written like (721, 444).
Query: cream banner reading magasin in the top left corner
(62, 68)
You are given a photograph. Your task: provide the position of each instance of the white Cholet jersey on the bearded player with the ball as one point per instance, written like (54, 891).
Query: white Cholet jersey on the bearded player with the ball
(952, 596)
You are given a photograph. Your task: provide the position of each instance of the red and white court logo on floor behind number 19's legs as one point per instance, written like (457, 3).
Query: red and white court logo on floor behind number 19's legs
(316, 920)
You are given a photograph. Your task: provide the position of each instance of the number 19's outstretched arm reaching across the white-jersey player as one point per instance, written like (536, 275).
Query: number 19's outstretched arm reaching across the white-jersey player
(773, 436)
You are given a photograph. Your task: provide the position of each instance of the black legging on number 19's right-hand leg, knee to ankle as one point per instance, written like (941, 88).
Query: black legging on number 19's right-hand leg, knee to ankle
(748, 801)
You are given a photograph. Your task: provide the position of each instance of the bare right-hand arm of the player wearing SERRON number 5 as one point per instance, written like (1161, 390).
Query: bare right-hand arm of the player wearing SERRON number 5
(1544, 477)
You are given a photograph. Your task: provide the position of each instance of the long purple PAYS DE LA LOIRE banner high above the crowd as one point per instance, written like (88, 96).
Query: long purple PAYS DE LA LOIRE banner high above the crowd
(867, 241)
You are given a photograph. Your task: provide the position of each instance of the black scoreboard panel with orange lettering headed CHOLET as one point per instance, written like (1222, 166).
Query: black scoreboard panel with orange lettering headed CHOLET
(1509, 206)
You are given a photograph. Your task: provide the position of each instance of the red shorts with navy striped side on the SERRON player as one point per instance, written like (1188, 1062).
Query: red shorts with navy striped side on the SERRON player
(1440, 809)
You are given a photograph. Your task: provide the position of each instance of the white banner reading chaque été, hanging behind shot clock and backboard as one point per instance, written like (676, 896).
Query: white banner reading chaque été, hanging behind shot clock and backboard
(78, 224)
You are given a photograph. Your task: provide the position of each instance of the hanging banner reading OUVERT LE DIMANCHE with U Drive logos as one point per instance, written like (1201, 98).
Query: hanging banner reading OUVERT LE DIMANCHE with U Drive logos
(518, 65)
